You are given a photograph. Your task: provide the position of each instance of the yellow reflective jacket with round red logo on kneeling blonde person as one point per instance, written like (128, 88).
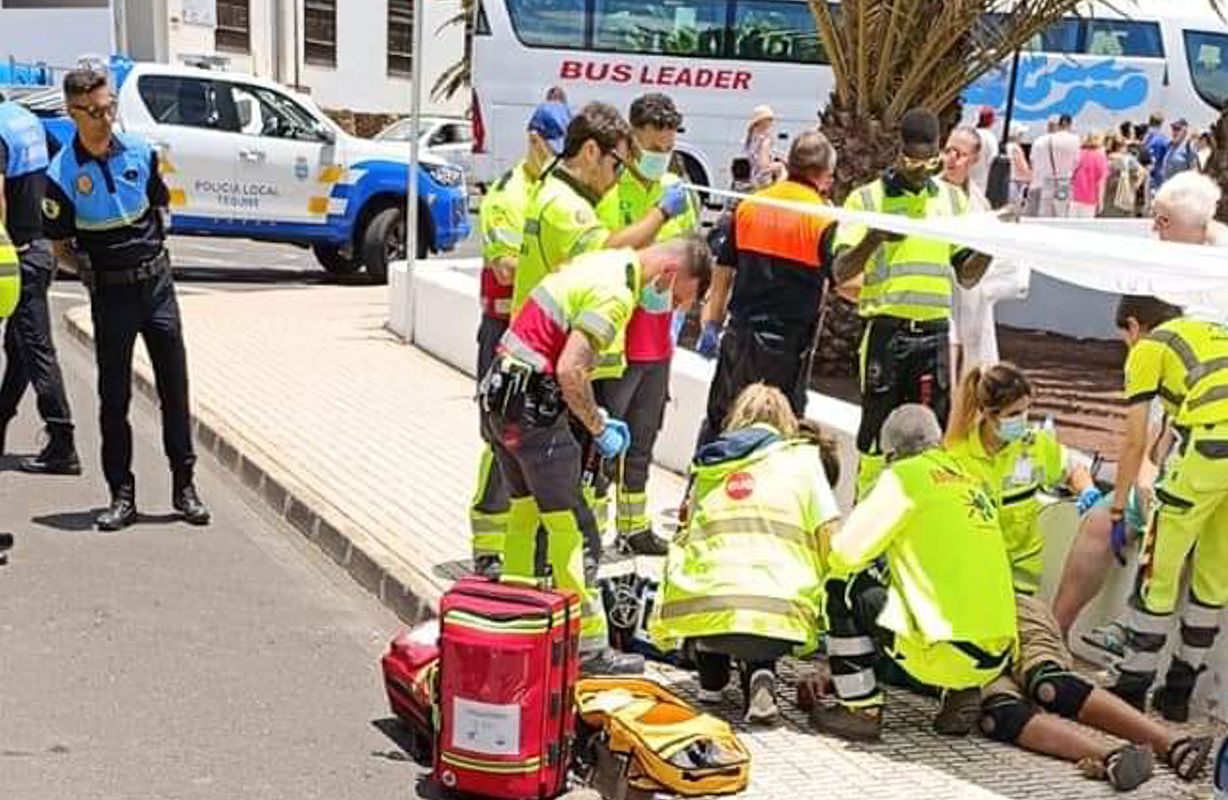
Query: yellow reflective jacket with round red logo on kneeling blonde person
(748, 561)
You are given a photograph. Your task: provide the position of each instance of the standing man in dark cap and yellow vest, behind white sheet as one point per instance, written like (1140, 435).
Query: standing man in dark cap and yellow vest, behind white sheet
(908, 288)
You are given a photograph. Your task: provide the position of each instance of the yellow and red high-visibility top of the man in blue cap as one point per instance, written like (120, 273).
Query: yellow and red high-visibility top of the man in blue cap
(502, 221)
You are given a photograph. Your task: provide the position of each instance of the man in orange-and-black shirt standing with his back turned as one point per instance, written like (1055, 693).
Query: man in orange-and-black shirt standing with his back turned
(780, 260)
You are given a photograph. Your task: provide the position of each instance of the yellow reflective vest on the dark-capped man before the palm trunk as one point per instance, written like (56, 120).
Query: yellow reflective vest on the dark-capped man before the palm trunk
(913, 278)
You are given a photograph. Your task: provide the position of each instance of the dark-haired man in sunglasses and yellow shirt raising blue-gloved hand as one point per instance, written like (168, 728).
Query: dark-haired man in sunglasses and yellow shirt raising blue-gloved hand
(562, 221)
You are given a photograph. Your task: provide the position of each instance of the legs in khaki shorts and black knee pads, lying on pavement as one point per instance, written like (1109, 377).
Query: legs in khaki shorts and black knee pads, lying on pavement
(1030, 706)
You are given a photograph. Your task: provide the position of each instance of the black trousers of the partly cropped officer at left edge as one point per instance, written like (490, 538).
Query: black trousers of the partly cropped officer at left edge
(30, 352)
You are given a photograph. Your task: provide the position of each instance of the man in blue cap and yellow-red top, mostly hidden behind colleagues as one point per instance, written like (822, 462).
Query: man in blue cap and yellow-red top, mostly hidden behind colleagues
(502, 221)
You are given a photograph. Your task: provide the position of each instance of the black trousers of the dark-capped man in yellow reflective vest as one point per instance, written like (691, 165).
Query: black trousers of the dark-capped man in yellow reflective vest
(902, 364)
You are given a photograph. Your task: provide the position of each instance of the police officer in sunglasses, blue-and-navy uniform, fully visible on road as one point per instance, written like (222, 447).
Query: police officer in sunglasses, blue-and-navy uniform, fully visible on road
(105, 195)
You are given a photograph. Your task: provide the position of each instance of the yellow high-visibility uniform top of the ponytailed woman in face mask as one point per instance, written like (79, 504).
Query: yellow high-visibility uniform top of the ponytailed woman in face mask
(1016, 475)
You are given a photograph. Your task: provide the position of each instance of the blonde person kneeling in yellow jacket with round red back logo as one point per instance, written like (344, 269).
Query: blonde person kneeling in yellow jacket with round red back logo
(745, 577)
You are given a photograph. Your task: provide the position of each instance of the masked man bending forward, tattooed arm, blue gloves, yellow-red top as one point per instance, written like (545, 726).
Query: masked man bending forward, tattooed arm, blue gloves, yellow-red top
(541, 374)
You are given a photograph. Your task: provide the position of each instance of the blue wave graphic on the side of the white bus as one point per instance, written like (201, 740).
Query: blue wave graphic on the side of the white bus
(1044, 92)
